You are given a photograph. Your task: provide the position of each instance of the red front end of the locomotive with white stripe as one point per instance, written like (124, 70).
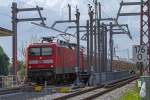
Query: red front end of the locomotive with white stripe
(40, 62)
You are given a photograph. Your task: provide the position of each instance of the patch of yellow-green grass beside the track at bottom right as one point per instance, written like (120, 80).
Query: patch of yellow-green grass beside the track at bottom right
(131, 94)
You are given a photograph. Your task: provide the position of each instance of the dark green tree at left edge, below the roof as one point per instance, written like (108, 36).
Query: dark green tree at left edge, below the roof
(4, 62)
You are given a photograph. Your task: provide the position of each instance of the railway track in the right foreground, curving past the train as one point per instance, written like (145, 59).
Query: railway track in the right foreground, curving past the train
(95, 92)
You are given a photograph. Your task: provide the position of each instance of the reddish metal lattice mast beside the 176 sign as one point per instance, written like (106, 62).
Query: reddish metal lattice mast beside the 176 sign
(145, 26)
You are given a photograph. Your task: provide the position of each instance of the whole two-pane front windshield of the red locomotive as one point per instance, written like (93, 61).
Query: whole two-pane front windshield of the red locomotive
(42, 51)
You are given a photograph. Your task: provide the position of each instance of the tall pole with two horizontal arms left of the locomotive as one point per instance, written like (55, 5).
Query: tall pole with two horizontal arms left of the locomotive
(15, 21)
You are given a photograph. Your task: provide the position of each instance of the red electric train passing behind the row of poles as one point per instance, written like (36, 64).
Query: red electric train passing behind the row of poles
(54, 62)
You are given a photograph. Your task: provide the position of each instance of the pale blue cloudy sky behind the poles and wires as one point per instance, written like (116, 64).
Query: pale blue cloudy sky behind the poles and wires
(57, 10)
